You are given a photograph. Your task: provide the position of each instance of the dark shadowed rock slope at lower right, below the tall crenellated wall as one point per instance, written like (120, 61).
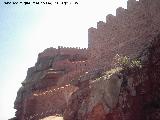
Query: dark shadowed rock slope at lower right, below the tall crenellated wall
(116, 99)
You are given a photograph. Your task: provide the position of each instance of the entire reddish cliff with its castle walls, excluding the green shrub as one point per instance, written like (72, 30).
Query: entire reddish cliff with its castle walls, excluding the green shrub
(82, 84)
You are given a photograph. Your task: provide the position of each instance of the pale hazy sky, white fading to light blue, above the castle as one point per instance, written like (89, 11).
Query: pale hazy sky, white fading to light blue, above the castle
(27, 30)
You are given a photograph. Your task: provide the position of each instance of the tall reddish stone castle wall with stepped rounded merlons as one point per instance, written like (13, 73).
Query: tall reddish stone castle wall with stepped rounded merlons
(126, 33)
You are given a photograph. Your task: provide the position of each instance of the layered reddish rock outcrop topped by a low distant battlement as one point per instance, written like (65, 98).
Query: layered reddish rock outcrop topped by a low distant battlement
(46, 89)
